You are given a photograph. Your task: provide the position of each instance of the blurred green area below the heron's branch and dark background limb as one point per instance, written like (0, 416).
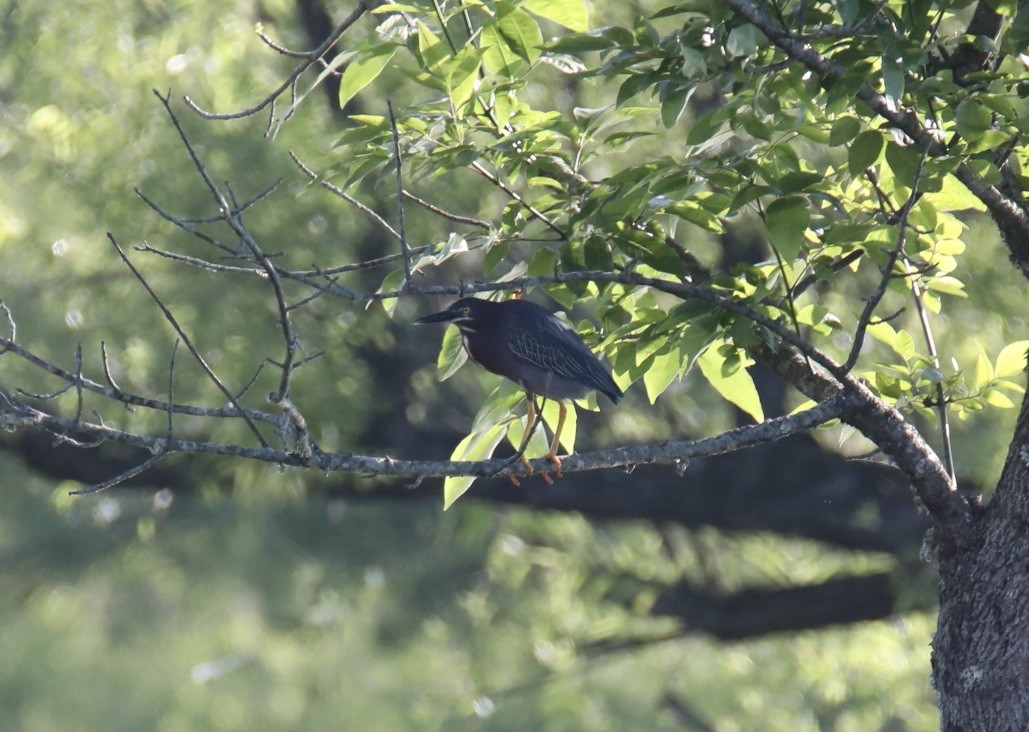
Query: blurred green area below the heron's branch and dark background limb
(263, 613)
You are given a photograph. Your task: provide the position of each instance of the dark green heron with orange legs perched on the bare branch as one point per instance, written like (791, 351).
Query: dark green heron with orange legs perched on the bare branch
(527, 344)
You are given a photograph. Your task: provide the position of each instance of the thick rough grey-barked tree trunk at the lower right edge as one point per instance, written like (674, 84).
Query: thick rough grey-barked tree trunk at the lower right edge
(981, 651)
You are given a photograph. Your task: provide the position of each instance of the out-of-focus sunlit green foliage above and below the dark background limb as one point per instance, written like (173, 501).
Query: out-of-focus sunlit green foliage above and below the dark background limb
(254, 603)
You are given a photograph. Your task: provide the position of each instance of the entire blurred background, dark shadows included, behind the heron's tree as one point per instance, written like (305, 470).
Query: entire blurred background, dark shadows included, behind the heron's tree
(216, 595)
